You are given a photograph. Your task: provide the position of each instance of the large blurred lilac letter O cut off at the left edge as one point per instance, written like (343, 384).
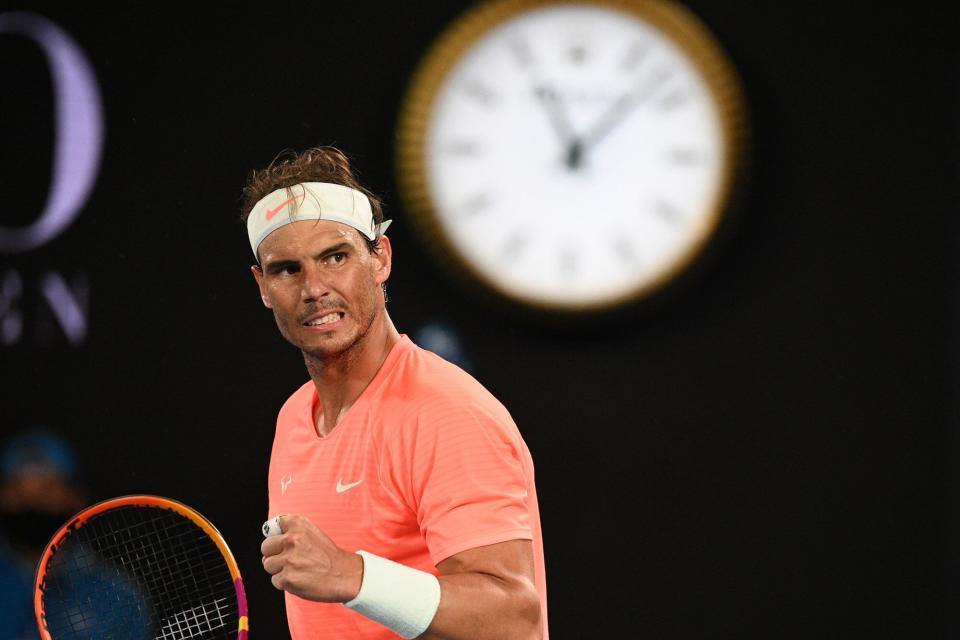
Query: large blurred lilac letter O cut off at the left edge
(78, 136)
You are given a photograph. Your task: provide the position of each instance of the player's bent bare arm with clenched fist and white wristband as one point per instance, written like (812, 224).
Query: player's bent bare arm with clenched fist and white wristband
(485, 592)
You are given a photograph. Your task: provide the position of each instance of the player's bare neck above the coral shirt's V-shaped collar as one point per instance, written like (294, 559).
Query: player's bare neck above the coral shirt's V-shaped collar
(342, 377)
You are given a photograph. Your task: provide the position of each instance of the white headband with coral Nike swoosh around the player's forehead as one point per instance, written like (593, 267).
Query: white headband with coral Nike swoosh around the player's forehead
(312, 201)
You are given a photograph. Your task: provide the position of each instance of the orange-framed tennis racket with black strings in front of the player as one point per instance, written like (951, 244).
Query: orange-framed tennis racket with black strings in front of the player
(139, 567)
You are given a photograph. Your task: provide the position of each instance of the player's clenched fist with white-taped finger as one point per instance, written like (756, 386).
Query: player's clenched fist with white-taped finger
(304, 561)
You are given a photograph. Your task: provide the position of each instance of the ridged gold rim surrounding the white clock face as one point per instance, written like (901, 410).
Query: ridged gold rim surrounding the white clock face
(676, 22)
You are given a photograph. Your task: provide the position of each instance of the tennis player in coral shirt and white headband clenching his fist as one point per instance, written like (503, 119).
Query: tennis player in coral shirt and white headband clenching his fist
(401, 493)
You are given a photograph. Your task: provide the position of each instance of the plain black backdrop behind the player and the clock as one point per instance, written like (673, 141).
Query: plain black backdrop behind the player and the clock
(767, 451)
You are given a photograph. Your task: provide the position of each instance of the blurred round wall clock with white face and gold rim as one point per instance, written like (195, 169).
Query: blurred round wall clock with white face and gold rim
(571, 156)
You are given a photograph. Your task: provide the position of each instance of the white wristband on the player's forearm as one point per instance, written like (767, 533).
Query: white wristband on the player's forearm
(399, 597)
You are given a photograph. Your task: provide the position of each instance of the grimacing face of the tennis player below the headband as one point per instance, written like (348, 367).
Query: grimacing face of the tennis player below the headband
(323, 284)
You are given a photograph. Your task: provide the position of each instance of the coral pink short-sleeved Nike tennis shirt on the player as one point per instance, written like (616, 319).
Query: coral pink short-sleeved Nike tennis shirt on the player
(424, 465)
